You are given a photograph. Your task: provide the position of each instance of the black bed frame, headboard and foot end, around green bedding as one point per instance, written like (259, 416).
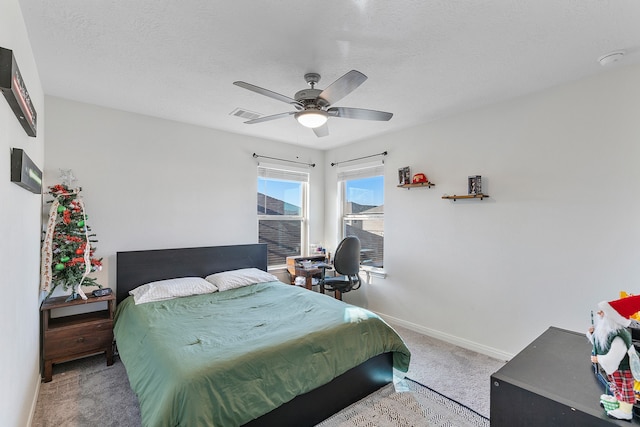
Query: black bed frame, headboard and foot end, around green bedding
(136, 268)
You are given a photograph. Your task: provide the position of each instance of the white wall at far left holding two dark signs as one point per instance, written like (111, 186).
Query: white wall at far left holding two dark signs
(20, 244)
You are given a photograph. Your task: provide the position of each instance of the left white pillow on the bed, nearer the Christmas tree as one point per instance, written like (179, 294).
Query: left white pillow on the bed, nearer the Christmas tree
(171, 288)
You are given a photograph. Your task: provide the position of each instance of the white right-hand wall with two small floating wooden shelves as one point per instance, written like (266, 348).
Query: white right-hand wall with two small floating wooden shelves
(558, 234)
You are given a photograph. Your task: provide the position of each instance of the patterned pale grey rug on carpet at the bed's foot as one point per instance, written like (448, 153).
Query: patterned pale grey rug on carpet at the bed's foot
(406, 403)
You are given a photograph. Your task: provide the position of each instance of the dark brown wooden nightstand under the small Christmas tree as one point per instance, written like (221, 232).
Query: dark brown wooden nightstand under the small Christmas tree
(71, 337)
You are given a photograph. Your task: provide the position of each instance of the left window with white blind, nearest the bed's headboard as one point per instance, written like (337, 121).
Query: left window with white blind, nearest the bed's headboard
(282, 212)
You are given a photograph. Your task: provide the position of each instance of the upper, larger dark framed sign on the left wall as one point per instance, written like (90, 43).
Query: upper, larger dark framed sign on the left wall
(15, 91)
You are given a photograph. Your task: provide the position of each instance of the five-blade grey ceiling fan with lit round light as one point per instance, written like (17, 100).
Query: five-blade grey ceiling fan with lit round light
(314, 105)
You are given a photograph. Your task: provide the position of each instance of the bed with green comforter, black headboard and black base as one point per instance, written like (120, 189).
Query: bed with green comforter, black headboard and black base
(267, 353)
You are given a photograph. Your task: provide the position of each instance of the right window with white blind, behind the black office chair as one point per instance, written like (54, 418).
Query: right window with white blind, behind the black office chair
(362, 193)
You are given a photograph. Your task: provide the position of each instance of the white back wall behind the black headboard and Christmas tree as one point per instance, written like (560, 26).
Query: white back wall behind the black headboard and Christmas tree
(149, 183)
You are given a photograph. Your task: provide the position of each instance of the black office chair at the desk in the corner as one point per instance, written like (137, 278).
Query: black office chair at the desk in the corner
(346, 262)
